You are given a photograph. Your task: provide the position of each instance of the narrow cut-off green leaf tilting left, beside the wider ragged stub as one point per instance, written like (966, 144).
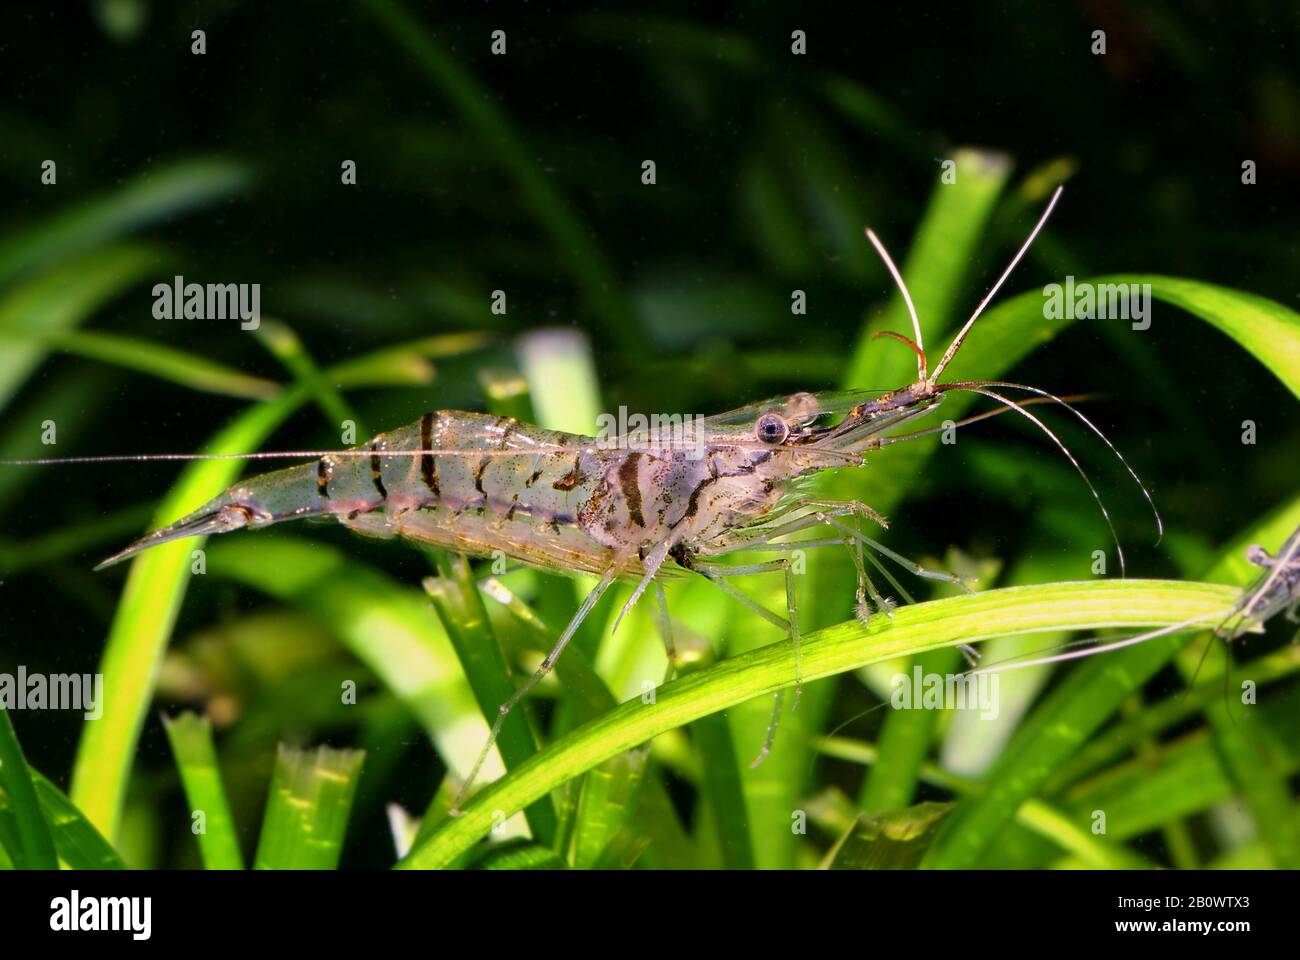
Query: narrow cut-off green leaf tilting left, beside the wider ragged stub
(197, 760)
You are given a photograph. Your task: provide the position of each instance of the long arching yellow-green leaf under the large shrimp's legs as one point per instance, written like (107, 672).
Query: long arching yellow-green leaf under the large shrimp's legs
(833, 651)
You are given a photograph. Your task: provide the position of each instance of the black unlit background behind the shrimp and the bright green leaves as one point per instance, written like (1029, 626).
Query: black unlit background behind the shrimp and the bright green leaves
(696, 314)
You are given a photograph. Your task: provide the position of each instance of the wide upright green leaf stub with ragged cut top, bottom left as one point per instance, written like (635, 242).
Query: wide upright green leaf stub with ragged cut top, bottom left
(307, 810)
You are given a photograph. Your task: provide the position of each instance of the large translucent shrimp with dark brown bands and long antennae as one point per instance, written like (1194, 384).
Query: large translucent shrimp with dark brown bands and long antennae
(642, 508)
